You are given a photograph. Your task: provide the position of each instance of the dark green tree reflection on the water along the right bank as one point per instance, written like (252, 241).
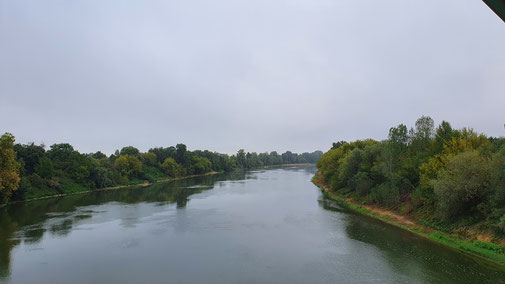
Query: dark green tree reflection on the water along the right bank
(408, 254)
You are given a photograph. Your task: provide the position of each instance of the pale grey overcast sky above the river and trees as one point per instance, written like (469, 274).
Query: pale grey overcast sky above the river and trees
(260, 75)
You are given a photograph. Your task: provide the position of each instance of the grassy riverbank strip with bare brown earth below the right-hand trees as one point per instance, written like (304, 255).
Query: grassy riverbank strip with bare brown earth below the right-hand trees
(487, 251)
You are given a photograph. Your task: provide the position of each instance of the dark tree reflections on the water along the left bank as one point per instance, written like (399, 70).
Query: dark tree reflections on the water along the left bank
(28, 222)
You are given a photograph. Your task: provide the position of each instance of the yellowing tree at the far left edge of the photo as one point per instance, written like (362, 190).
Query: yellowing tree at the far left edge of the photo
(9, 167)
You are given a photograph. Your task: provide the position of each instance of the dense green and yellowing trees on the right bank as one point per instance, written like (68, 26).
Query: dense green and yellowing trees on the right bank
(445, 178)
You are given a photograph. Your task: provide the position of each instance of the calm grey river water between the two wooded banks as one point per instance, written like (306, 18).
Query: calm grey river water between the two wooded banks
(269, 226)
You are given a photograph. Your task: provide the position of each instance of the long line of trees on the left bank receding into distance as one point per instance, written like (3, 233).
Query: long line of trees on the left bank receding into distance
(30, 171)
